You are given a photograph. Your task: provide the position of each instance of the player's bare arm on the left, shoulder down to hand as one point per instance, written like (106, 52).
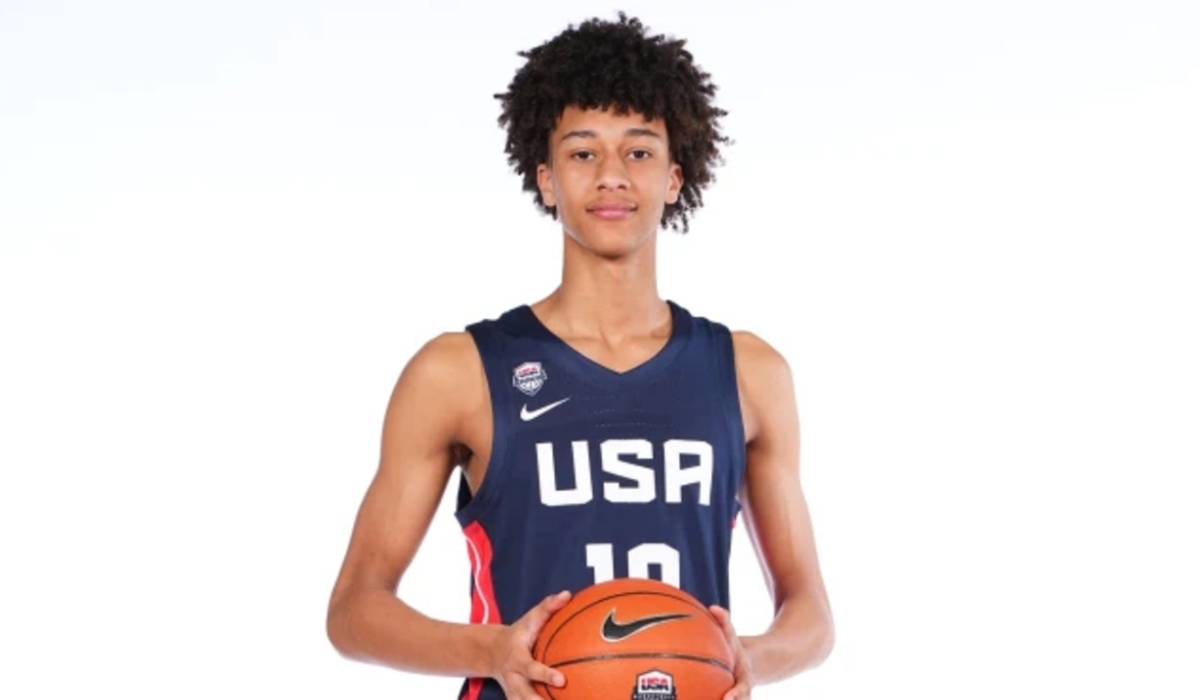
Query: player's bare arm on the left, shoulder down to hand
(436, 394)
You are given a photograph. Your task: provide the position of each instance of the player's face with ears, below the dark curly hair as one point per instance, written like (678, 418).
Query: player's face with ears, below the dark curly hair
(610, 176)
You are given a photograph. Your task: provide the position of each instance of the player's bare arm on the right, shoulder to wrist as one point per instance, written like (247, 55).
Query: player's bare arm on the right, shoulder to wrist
(778, 522)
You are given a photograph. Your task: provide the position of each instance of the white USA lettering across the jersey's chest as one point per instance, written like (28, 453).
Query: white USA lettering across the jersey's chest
(687, 466)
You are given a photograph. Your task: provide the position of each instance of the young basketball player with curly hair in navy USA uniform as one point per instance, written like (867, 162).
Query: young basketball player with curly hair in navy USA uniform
(603, 432)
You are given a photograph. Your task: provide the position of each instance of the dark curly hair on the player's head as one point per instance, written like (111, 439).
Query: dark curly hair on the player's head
(616, 65)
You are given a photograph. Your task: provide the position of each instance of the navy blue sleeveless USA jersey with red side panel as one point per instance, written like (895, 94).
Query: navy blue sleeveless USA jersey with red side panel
(597, 475)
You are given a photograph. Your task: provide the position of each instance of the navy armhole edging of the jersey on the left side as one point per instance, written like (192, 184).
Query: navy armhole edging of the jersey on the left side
(491, 354)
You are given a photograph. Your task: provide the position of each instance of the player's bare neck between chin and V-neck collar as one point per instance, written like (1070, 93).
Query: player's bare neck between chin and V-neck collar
(607, 297)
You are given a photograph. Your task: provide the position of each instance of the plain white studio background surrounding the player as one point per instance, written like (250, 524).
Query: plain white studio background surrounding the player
(225, 228)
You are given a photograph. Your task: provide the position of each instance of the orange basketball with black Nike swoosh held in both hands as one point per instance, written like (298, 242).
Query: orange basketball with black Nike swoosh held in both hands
(639, 639)
